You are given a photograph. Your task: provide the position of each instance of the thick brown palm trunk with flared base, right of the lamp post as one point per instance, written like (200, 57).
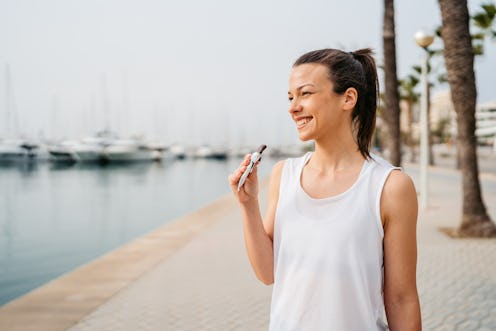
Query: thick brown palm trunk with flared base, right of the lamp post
(459, 59)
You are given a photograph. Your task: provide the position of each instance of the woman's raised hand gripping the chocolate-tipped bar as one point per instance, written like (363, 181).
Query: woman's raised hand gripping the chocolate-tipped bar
(249, 191)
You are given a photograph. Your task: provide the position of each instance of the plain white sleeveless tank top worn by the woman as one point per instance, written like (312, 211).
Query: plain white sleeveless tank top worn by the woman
(328, 254)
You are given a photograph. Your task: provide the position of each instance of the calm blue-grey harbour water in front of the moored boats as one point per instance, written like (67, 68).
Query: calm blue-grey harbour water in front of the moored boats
(56, 218)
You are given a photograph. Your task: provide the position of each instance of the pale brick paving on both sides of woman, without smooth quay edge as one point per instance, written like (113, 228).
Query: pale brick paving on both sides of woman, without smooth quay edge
(207, 283)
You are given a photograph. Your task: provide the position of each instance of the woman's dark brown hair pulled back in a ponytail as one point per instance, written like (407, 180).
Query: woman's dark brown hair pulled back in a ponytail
(352, 69)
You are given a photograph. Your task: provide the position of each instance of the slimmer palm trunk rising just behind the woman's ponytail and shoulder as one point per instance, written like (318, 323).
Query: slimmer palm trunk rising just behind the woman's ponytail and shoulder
(392, 103)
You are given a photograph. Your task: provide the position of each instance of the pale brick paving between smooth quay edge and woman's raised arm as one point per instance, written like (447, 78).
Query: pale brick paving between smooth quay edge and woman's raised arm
(207, 285)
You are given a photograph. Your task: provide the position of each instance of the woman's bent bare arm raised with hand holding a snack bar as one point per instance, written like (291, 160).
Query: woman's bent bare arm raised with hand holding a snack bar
(258, 233)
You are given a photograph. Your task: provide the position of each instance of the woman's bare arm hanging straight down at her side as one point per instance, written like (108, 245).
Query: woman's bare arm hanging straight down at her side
(399, 213)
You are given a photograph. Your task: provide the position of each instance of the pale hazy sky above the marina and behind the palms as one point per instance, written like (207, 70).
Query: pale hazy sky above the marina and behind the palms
(185, 71)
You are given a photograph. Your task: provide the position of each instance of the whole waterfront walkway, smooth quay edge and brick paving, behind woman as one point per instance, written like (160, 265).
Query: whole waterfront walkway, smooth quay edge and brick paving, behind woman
(194, 275)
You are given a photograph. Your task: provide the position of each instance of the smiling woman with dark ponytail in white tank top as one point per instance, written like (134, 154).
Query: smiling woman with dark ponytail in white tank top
(339, 238)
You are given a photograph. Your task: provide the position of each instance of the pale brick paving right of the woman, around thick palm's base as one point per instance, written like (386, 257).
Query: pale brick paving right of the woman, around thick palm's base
(456, 277)
